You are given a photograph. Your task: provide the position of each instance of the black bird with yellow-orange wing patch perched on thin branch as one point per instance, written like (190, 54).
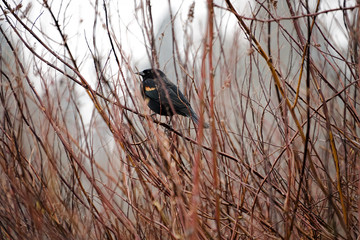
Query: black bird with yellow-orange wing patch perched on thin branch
(157, 90)
